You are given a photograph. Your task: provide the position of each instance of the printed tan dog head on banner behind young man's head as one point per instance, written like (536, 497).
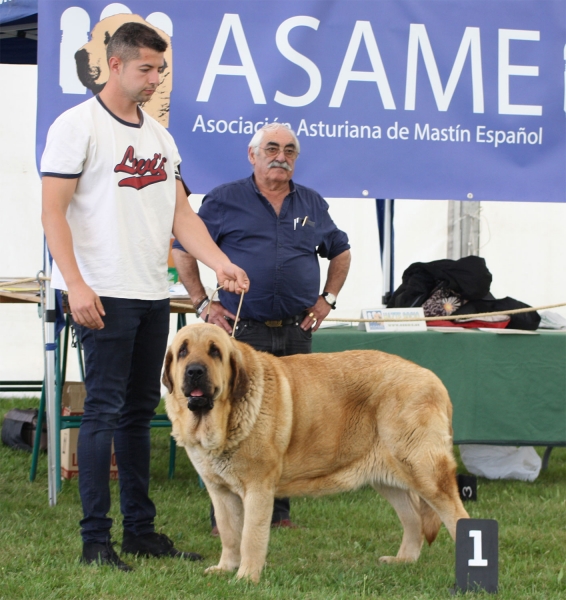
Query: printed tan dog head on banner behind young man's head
(92, 65)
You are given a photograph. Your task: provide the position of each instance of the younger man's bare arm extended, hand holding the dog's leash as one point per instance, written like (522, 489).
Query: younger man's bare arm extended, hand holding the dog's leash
(189, 229)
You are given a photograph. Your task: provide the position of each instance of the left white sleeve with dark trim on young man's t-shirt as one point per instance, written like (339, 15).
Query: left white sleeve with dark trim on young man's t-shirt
(66, 149)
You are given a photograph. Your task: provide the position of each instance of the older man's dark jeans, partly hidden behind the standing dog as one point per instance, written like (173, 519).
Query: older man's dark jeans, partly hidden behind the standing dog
(279, 341)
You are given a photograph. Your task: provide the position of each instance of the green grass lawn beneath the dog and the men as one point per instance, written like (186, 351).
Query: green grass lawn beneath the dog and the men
(334, 555)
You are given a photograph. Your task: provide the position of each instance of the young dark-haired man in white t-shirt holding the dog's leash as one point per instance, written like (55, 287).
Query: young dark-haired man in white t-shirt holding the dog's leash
(112, 196)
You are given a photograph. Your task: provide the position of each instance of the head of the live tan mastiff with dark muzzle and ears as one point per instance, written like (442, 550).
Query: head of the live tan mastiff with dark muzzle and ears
(204, 373)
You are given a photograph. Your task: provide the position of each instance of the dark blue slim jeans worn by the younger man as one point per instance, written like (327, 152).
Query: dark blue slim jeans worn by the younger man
(123, 365)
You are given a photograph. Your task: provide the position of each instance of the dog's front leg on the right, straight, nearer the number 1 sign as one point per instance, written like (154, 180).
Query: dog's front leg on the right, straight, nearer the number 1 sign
(258, 509)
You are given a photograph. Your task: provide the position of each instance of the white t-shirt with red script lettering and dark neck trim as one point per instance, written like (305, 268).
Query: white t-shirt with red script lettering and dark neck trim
(121, 215)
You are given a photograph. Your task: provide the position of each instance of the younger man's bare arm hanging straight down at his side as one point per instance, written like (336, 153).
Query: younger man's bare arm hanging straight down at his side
(85, 304)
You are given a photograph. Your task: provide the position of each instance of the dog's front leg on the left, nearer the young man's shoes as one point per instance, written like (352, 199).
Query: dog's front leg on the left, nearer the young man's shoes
(229, 514)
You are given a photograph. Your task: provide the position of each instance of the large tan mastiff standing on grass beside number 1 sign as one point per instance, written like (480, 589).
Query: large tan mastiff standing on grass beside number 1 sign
(256, 427)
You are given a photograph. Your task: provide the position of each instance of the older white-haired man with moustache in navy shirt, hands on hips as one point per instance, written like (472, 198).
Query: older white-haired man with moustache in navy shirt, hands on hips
(275, 229)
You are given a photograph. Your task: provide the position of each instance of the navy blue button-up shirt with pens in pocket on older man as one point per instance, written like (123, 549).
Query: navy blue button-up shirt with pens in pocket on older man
(278, 252)
